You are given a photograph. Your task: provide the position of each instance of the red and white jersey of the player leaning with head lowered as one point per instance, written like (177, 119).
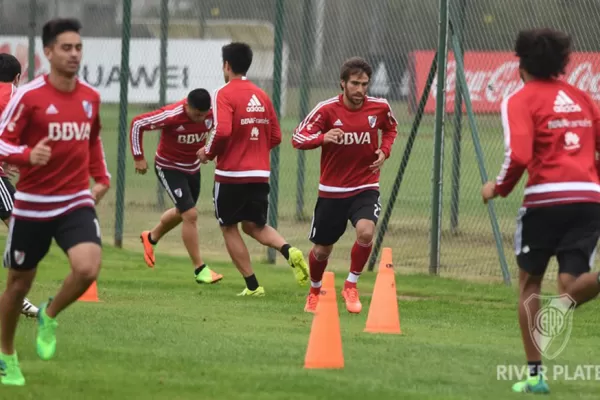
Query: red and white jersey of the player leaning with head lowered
(180, 138)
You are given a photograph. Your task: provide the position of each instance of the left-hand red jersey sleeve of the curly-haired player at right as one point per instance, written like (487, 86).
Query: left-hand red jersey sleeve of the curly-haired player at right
(518, 128)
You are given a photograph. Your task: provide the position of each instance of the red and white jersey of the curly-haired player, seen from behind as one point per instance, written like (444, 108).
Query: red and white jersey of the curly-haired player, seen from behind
(552, 130)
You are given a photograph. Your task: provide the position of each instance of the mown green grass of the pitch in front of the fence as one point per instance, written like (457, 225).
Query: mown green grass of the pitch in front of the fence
(158, 335)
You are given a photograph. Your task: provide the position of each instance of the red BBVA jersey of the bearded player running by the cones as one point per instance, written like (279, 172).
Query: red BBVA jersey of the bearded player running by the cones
(345, 165)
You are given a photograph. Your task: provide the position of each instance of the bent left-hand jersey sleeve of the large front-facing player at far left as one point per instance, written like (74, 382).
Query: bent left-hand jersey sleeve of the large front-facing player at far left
(13, 122)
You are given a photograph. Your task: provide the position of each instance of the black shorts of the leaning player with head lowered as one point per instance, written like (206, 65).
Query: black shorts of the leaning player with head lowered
(183, 189)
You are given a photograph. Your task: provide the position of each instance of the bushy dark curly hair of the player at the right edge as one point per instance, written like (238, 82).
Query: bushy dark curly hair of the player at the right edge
(543, 53)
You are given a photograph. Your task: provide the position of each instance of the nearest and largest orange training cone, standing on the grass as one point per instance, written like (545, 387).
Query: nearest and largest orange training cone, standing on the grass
(325, 341)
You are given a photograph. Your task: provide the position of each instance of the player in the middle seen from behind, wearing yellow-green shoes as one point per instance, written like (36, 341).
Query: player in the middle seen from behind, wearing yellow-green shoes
(246, 129)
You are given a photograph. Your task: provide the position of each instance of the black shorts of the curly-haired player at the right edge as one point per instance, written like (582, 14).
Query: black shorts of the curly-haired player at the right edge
(570, 232)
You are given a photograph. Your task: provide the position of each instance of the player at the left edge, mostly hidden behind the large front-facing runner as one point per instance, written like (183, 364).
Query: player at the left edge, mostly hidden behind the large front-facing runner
(10, 75)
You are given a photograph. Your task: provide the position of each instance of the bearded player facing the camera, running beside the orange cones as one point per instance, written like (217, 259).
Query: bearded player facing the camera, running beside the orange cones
(346, 128)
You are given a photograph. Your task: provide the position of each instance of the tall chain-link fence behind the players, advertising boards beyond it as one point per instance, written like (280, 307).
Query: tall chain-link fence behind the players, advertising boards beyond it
(398, 37)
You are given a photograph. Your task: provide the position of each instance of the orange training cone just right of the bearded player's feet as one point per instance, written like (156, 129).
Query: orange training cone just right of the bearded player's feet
(383, 311)
